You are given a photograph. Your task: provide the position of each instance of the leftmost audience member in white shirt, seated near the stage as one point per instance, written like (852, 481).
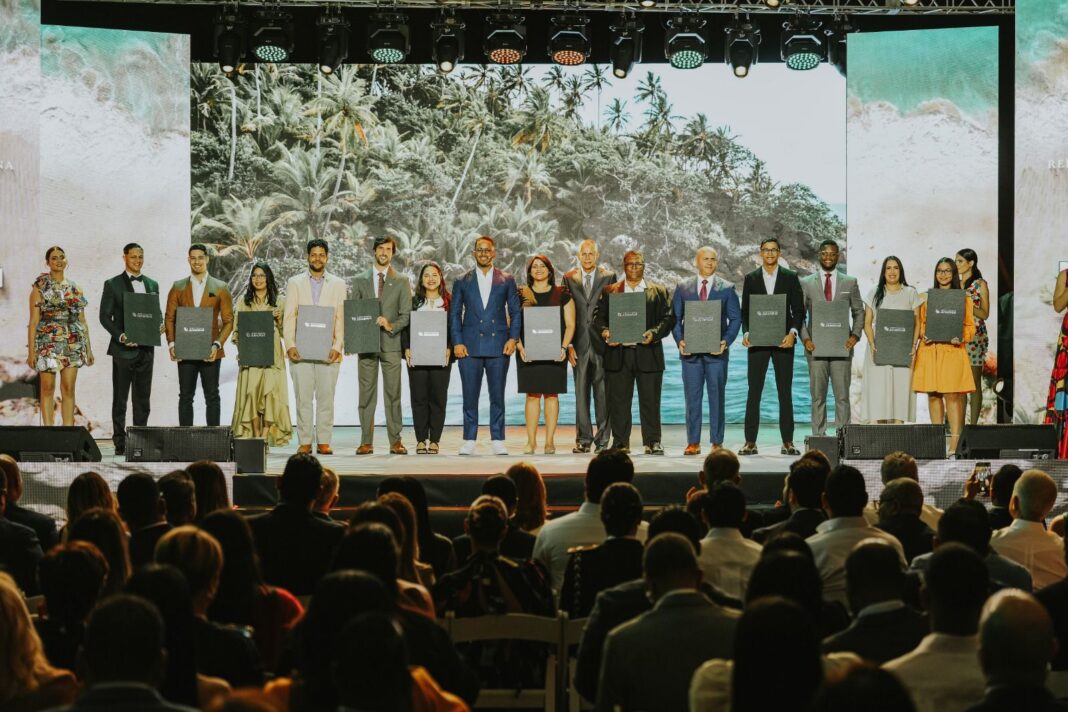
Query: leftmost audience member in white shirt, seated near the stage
(583, 528)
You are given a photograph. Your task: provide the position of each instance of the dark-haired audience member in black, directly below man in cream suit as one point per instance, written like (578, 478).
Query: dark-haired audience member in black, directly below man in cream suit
(295, 547)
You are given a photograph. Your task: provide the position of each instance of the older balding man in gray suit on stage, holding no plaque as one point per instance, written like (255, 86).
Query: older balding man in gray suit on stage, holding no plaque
(586, 283)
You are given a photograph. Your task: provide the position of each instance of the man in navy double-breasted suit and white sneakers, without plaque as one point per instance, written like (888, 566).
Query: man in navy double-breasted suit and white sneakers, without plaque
(485, 322)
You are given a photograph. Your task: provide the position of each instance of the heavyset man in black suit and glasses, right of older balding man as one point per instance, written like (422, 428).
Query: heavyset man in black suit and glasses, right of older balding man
(643, 362)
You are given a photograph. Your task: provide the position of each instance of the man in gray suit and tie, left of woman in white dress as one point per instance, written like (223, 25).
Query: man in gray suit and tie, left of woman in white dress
(830, 284)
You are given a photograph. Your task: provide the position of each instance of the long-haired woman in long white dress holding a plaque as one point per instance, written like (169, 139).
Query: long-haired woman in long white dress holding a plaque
(887, 392)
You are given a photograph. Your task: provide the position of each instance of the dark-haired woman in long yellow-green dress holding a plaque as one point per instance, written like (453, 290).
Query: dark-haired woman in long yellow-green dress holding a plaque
(262, 404)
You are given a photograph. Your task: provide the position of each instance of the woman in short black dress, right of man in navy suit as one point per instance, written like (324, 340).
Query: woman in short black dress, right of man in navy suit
(545, 379)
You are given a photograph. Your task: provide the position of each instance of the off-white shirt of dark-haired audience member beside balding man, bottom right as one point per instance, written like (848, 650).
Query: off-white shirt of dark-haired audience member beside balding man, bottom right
(943, 674)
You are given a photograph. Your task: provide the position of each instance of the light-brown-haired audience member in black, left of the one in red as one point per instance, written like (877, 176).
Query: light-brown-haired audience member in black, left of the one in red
(223, 652)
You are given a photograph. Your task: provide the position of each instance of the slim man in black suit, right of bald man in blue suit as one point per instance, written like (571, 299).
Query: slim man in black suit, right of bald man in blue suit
(771, 279)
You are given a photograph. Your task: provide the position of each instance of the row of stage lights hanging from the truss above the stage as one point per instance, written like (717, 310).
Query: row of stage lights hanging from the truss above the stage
(806, 43)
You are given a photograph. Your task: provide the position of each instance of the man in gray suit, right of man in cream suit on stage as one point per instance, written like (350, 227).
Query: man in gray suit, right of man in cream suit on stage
(394, 292)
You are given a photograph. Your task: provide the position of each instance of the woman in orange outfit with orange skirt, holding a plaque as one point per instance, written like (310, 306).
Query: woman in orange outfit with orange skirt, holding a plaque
(944, 371)
